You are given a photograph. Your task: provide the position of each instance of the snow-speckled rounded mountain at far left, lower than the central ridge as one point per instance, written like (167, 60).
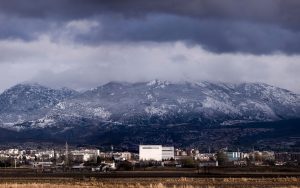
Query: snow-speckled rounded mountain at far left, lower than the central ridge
(28, 102)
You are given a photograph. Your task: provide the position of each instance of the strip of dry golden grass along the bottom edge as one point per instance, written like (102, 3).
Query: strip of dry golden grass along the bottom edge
(157, 183)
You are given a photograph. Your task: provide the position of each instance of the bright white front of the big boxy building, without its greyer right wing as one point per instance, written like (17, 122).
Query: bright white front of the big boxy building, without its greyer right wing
(150, 152)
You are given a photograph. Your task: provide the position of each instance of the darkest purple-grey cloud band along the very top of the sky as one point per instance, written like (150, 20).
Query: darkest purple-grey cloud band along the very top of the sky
(285, 12)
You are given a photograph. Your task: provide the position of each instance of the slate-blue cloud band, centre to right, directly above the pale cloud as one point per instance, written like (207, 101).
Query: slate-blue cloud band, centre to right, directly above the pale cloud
(214, 35)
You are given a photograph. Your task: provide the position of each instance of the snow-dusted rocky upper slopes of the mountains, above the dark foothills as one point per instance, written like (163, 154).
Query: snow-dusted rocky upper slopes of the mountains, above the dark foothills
(155, 102)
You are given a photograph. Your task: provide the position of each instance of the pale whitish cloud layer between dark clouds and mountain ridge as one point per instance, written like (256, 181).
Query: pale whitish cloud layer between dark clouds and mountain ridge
(59, 64)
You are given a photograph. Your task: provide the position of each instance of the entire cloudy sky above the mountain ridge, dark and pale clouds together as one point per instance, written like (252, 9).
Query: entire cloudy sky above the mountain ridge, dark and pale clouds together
(82, 44)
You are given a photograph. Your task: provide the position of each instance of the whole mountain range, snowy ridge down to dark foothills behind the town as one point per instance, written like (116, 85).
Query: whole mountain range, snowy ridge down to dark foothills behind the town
(113, 108)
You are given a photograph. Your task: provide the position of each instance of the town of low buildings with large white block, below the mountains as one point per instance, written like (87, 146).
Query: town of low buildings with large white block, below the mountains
(149, 156)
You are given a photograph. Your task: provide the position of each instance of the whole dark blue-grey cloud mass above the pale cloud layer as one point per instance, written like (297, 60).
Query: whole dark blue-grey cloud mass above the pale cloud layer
(256, 26)
